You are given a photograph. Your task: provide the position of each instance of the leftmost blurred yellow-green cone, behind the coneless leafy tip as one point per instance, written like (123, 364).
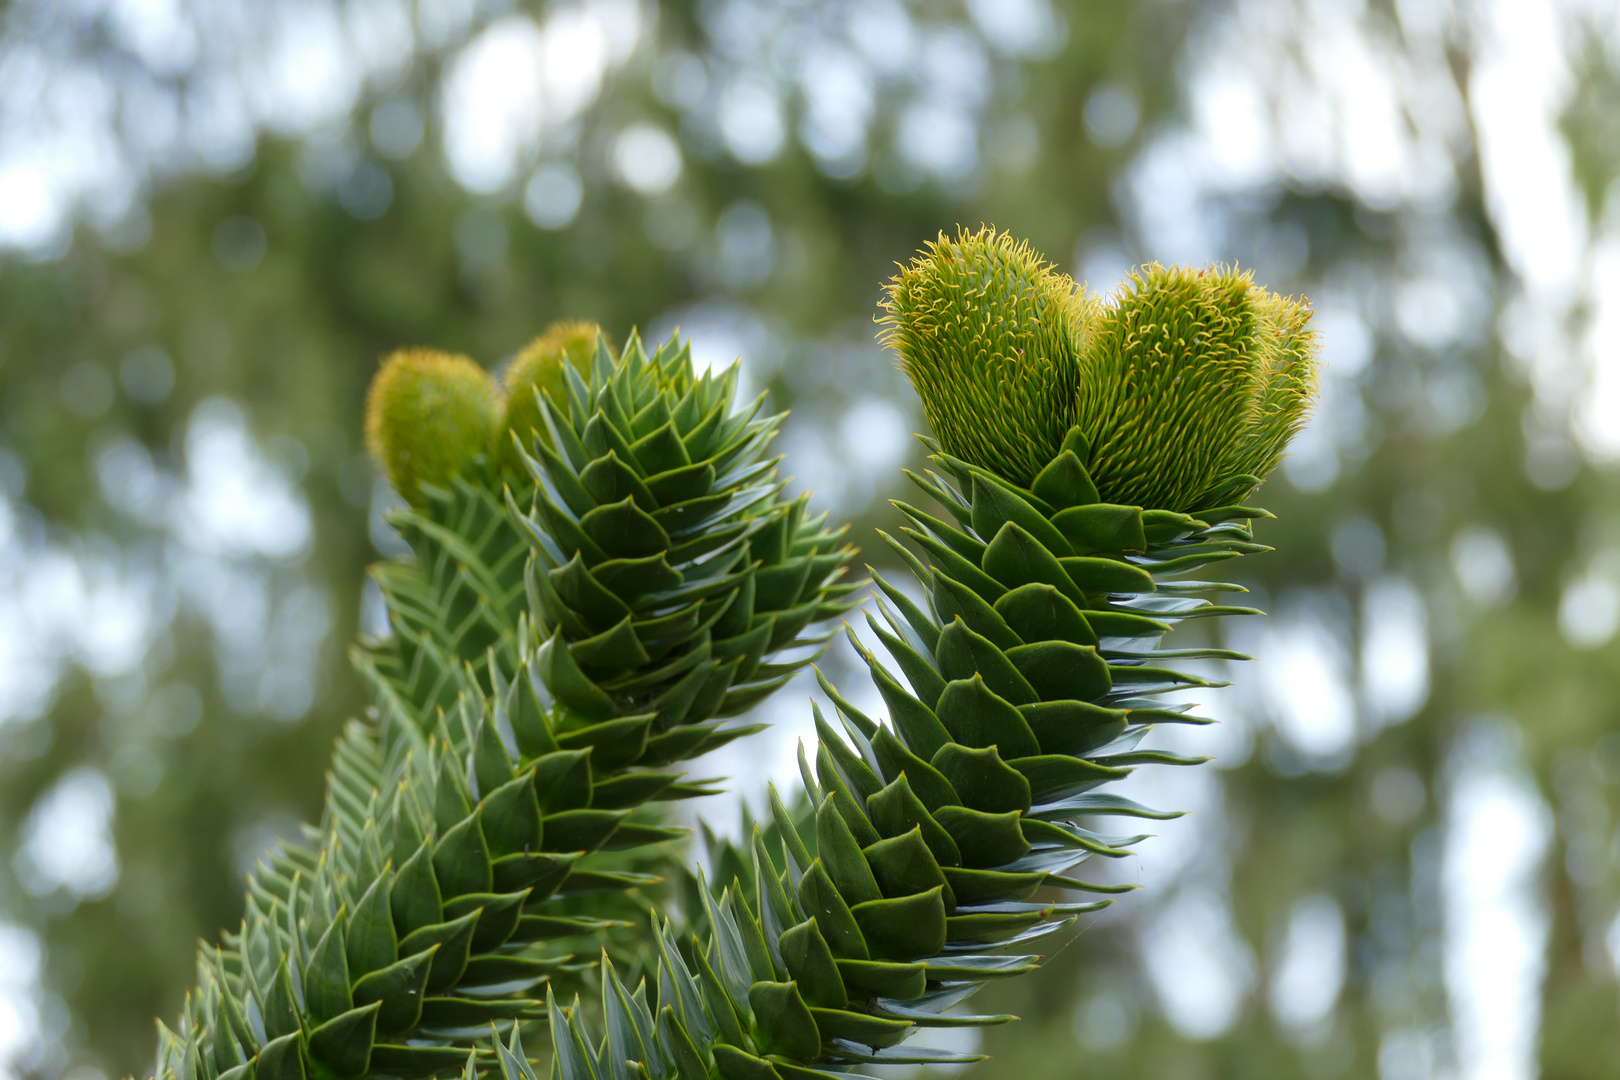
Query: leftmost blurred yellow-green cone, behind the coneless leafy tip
(428, 415)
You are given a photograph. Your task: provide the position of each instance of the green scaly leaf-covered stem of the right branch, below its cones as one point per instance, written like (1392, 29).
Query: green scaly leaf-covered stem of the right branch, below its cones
(945, 840)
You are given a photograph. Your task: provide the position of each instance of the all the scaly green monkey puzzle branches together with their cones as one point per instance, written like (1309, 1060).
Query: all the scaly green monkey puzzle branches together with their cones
(607, 572)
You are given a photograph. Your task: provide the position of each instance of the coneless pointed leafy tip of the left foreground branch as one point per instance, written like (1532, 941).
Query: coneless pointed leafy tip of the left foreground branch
(670, 576)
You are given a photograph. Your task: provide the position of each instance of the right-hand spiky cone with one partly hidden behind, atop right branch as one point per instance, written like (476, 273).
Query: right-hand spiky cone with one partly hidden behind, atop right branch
(1192, 386)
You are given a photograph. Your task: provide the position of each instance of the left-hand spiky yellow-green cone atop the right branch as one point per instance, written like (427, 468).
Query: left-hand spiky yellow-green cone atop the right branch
(991, 334)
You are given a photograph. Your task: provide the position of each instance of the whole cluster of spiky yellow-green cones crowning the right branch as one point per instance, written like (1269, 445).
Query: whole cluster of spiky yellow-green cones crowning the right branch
(1187, 385)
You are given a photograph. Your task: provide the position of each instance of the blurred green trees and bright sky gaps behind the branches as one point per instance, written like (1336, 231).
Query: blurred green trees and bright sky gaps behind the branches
(220, 216)
